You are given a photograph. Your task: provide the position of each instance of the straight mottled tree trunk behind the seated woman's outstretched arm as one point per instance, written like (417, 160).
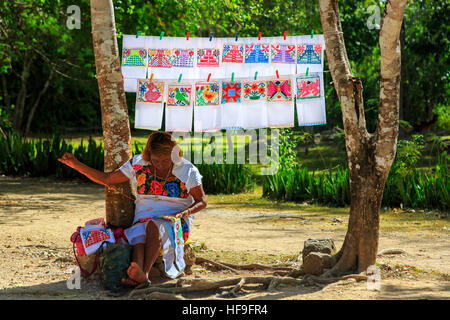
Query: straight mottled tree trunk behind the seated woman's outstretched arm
(116, 128)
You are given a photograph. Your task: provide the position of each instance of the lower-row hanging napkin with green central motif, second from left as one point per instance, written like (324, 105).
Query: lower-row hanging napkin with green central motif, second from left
(179, 107)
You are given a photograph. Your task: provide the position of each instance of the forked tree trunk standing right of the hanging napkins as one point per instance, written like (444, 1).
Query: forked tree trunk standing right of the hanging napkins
(370, 156)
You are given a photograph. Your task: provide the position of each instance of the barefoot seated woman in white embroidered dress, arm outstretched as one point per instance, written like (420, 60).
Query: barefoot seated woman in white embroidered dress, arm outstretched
(169, 192)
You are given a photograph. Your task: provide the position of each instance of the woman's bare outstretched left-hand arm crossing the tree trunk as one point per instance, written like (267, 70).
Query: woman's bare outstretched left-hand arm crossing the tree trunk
(100, 177)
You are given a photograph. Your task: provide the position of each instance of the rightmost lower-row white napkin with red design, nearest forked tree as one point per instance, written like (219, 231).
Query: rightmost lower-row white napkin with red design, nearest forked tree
(310, 95)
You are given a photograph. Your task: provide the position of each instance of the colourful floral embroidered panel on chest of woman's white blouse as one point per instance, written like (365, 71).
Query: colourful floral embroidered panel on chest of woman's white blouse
(150, 184)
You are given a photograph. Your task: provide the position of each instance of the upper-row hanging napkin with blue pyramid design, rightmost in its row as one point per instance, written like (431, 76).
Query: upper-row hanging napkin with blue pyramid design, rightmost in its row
(310, 53)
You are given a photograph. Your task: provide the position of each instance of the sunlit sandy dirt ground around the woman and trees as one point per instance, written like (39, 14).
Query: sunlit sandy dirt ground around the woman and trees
(38, 215)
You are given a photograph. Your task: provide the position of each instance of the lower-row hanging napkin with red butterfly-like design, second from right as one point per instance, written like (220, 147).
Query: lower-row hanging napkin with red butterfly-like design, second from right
(280, 102)
